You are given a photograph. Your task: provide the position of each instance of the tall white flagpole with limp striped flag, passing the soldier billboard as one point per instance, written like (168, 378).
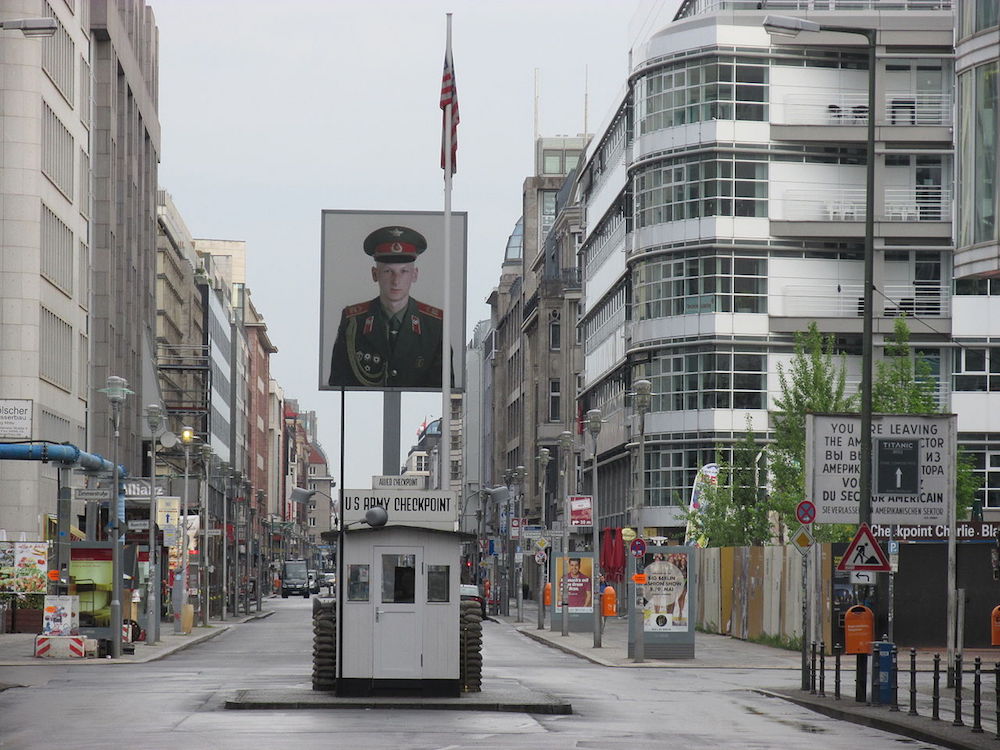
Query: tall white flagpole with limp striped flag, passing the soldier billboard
(446, 131)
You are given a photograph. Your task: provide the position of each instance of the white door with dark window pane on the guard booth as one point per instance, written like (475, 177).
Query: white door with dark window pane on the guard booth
(399, 604)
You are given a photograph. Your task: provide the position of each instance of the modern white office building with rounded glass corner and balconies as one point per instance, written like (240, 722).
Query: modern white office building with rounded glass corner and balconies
(724, 207)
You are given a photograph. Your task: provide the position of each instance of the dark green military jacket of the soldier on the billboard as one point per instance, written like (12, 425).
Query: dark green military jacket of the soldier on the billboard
(367, 354)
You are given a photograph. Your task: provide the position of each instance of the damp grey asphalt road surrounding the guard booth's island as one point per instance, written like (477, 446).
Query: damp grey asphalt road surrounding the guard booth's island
(178, 702)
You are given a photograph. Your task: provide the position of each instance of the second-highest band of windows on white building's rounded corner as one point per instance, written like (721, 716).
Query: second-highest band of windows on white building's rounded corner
(703, 185)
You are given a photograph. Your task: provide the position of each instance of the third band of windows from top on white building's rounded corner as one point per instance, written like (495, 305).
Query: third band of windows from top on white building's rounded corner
(668, 287)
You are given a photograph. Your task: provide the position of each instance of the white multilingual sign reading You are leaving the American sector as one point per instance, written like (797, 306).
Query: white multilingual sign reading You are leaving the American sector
(912, 467)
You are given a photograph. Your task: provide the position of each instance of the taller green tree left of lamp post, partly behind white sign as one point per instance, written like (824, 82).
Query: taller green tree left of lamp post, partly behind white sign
(813, 382)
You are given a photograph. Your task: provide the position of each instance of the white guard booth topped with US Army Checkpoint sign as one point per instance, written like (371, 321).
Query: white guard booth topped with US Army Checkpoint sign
(401, 603)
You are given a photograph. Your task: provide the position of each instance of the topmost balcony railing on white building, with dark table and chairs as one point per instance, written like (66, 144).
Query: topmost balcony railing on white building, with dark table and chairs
(851, 108)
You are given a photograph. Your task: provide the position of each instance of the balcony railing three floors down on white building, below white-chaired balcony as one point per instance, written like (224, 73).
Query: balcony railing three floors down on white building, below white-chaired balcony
(847, 300)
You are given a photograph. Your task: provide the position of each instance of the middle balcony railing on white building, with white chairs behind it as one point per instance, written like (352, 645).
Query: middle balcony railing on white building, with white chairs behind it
(921, 203)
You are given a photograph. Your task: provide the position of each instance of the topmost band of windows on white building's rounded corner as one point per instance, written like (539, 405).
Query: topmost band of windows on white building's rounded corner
(710, 88)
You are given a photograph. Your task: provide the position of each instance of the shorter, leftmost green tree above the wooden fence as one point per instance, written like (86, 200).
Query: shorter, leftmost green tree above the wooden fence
(733, 512)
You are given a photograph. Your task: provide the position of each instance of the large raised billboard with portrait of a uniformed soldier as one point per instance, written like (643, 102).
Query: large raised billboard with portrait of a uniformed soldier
(383, 298)
